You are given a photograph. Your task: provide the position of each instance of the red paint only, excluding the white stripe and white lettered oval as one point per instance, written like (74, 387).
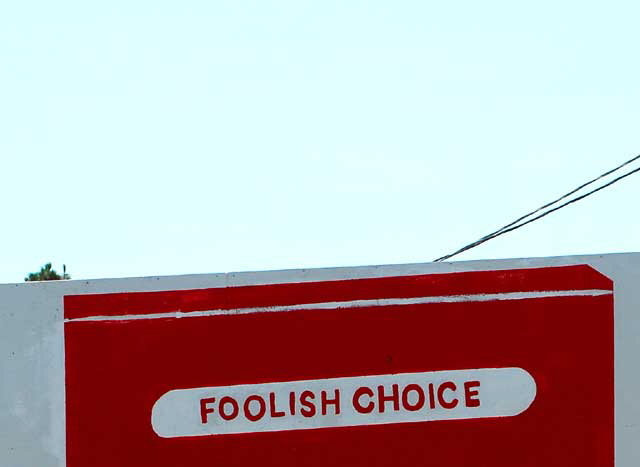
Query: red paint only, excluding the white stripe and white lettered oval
(117, 370)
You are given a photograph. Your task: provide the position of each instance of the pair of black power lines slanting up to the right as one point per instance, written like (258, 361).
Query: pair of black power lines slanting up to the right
(518, 222)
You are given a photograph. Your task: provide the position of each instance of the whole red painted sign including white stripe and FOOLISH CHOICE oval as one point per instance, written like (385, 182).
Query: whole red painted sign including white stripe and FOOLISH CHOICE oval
(498, 368)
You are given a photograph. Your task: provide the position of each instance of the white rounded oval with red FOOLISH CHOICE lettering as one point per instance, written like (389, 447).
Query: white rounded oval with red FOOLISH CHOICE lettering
(342, 402)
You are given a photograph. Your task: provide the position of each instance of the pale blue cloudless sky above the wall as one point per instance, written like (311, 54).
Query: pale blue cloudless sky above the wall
(154, 137)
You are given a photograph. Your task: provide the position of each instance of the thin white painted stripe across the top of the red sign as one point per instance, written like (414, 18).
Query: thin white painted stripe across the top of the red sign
(381, 302)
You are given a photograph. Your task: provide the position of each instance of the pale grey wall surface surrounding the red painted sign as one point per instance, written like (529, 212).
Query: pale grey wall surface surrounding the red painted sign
(32, 391)
